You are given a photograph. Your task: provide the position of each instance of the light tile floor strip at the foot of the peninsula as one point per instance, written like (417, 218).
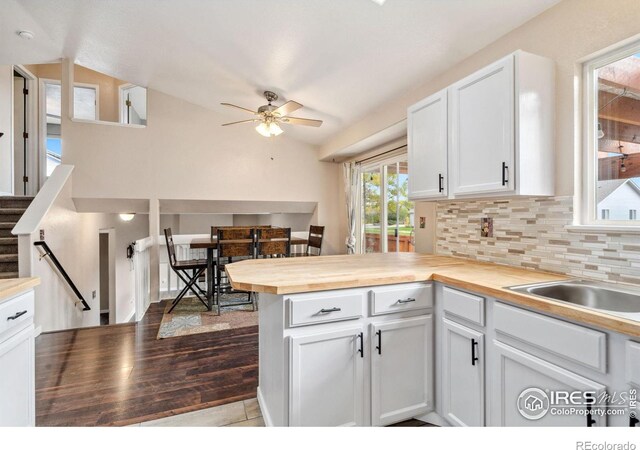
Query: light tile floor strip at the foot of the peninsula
(244, 413)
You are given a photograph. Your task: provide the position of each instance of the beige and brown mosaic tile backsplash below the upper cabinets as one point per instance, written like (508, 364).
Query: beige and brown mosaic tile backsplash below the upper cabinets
(532, 233)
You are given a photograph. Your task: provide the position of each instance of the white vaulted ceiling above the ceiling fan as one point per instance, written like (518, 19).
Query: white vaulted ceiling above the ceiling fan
(340, 58)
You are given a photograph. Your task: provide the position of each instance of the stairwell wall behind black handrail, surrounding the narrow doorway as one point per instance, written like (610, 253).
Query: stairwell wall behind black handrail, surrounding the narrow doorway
(74, 238)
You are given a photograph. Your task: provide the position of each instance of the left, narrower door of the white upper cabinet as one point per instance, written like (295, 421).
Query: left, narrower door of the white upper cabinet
(427, 147)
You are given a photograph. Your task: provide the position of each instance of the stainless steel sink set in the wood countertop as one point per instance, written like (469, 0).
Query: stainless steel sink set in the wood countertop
(611, 298)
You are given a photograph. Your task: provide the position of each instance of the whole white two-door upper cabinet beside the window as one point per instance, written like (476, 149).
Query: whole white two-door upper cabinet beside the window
(499, 129)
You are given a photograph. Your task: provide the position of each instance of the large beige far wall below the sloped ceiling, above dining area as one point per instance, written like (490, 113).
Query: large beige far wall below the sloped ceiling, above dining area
(184, 153)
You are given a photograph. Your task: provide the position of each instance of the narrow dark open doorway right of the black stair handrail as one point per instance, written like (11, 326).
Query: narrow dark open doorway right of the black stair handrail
(107, 282)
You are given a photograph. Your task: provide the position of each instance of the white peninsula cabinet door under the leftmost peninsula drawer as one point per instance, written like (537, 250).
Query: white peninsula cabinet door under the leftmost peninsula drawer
(326, 379)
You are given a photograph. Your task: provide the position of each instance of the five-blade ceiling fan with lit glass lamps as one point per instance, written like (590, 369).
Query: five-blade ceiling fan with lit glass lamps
(270, 116)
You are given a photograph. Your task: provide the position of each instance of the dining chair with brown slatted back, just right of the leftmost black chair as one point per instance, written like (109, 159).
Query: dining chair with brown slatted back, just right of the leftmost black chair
(233, 244)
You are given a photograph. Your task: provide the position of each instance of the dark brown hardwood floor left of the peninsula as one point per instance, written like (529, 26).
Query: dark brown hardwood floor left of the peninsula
(121, 374)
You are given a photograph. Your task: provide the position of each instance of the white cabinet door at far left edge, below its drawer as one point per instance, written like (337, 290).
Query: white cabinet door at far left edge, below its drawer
(17, 388)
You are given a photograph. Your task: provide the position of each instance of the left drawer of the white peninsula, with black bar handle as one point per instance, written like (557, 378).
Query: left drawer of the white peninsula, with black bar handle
(311, 309)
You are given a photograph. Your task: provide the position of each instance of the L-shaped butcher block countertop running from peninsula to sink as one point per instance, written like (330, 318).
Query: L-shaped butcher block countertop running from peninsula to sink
(322, 273)
